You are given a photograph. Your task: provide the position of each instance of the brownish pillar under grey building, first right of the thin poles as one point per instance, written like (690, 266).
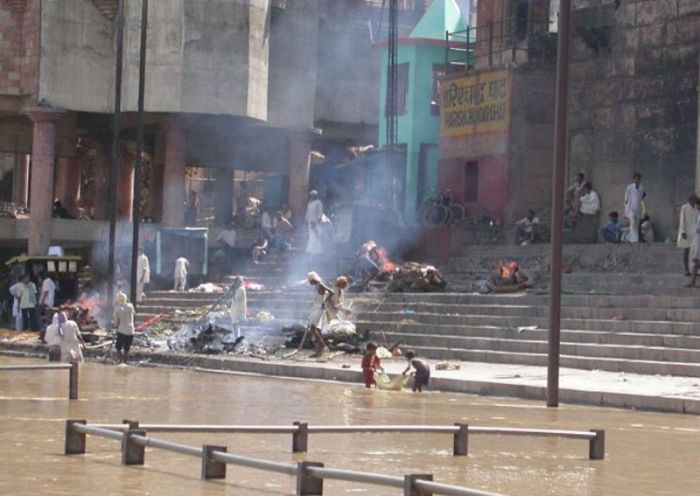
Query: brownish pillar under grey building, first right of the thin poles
(174, 195)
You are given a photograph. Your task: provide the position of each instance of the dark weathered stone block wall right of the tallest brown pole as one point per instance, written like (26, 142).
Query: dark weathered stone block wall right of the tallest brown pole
(633, 100)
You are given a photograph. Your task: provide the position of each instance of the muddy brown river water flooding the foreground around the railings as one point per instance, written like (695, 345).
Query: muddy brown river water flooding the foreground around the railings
(646, 453)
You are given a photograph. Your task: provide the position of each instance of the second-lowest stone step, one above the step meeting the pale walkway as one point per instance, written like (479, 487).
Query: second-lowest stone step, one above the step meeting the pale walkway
(625, 352)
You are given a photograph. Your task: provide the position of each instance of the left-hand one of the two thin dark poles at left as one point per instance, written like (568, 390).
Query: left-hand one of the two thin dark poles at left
(114, 171)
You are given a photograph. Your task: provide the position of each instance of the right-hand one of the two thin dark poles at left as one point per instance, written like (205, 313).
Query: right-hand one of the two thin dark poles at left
(138, 166)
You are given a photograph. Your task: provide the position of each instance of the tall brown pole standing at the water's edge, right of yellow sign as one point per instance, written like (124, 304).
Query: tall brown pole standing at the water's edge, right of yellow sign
(560, 140)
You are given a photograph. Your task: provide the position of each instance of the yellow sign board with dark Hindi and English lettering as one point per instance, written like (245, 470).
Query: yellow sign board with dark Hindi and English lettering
(475, 104)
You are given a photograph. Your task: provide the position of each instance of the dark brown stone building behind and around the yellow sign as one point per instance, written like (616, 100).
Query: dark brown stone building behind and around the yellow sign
(633, 105)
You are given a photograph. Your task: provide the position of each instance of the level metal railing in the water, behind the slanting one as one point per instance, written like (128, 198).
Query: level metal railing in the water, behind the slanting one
(460, 433)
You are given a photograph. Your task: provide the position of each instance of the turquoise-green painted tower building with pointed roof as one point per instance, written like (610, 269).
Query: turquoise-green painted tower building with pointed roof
(421, 60)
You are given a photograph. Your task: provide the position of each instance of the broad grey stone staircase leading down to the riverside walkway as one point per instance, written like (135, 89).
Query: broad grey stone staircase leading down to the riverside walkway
(636, 319)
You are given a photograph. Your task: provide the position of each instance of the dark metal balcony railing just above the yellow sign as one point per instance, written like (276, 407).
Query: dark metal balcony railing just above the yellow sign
(512, 35)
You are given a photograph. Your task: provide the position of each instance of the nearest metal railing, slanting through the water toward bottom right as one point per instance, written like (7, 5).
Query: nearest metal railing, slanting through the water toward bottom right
(309, 475)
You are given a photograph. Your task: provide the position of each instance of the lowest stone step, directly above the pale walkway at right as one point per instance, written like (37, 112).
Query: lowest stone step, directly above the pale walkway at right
(579, 362)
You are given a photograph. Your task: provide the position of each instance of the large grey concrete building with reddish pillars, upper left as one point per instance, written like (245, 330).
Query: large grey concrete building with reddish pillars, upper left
(231, 86)
